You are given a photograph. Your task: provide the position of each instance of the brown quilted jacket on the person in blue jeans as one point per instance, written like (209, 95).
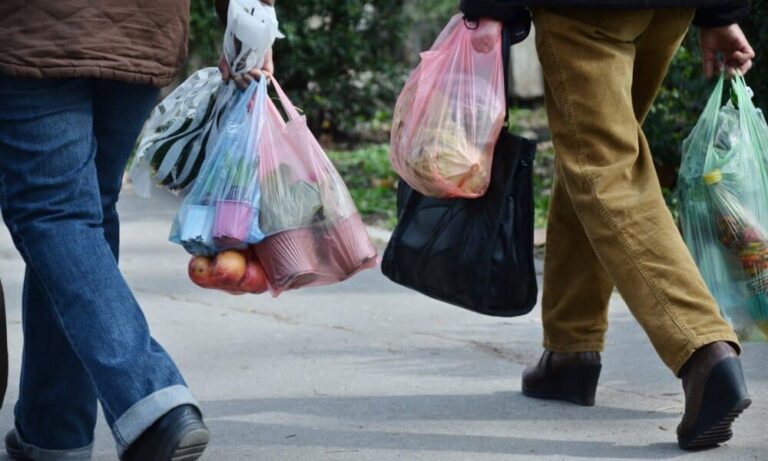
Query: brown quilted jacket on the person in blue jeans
(136, 41)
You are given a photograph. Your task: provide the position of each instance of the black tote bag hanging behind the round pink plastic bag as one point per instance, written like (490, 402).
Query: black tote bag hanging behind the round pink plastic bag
(473, 253)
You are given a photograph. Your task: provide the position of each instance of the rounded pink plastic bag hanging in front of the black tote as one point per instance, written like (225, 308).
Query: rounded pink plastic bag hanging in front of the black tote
(450, 113)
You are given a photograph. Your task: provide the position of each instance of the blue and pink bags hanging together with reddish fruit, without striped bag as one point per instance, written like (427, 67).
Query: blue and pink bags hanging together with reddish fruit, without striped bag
(268, 209)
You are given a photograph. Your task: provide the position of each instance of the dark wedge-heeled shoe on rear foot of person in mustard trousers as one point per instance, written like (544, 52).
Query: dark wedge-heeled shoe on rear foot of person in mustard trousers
(569, 377)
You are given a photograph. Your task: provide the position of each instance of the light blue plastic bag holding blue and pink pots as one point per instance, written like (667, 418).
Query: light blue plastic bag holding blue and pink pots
(222, 208)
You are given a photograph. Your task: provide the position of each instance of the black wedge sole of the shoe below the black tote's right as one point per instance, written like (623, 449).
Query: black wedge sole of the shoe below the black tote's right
(576, 384)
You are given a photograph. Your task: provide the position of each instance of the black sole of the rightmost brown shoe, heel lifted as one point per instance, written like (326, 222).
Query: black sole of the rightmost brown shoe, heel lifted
(725, 398)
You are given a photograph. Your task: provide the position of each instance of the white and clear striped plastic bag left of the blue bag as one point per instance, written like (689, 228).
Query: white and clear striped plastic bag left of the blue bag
(179, 133)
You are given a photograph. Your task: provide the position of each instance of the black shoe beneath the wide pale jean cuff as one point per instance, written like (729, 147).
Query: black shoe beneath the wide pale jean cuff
(179, 435)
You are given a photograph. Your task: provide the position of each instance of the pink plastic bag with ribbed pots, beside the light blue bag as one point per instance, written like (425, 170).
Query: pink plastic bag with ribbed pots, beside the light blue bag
(314, 233)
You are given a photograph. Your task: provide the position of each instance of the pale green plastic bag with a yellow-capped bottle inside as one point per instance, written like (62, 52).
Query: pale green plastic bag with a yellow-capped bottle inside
(723, 194)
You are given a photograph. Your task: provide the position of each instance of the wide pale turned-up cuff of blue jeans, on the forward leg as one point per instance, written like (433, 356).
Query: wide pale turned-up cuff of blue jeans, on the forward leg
(146, 411)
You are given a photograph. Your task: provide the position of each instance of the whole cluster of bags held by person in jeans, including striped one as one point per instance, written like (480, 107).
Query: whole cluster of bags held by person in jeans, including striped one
(265, 208)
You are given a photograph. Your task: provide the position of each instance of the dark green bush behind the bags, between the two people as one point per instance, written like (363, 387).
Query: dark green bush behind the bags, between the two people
(342, 62)
